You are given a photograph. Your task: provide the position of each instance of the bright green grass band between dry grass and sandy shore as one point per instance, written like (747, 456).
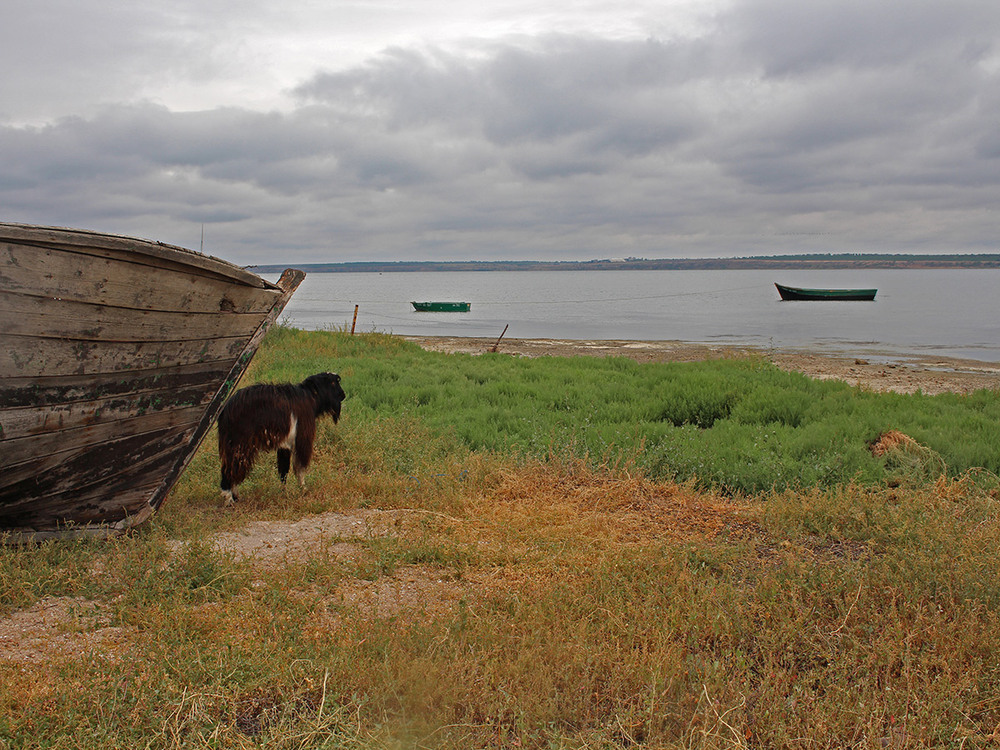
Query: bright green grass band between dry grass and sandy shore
(740, 424)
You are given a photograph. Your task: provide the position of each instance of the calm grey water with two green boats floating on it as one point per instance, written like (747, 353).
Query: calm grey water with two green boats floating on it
(952, 313)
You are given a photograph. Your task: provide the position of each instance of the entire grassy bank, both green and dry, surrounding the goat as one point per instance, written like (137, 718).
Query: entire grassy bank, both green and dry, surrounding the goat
(517, 566)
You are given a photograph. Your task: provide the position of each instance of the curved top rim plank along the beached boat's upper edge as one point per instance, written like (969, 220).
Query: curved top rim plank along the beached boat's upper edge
(156, 254)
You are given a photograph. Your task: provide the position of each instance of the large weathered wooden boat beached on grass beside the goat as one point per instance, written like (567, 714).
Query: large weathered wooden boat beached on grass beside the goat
(116, 355)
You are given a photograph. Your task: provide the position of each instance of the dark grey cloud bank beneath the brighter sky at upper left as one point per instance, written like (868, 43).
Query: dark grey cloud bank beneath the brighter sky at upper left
(779, 127)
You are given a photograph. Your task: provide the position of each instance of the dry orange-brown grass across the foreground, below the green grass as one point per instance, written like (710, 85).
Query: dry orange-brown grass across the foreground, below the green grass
(551, 606)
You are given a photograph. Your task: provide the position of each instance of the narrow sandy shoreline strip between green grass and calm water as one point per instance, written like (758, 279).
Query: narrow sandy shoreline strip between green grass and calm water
(902, 374)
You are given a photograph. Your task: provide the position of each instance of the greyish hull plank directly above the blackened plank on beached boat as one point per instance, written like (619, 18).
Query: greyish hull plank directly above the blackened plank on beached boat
(21, 356)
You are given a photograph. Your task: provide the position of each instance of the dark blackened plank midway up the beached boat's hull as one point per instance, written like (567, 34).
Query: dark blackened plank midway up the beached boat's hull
(48, 390)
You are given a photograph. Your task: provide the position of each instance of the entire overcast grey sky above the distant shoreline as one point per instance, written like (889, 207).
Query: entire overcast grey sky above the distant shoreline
(331, 130)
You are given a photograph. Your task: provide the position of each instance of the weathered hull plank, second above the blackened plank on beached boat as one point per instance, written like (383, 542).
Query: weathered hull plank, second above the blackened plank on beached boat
(82, 321)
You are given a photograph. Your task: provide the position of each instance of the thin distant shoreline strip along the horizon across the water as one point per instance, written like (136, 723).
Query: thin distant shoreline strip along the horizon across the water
(809, 262)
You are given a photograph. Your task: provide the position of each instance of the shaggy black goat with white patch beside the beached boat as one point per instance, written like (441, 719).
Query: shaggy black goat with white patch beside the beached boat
(270, 417)
